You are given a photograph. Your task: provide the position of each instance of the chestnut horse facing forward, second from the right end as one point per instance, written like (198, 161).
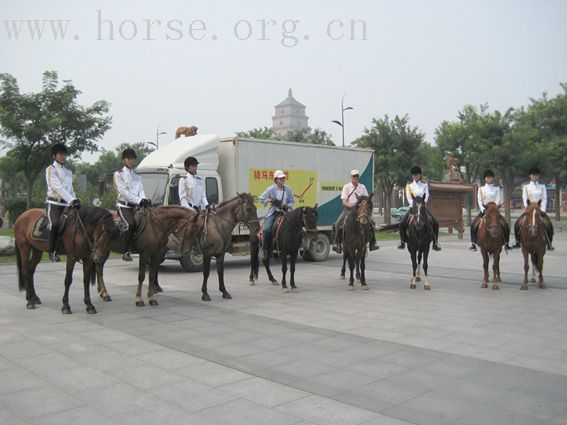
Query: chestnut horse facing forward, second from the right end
(490, 239)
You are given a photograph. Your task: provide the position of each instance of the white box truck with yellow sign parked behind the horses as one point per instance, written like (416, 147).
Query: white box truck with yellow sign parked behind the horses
(232, 165)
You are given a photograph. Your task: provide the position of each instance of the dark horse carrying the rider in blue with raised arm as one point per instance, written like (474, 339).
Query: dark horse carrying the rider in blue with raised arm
(287, 242)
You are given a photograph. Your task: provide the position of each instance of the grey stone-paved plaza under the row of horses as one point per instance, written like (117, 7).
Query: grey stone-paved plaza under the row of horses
(457, 354)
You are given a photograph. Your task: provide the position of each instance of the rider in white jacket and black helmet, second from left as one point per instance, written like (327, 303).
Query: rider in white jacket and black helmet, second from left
(130, 190)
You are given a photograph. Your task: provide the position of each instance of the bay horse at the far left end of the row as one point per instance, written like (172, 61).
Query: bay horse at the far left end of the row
(86, 238)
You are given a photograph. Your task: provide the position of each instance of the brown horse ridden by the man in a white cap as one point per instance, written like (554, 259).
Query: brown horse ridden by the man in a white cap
(355, 240)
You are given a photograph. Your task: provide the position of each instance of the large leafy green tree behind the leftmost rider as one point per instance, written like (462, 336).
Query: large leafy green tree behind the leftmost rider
(32, 122)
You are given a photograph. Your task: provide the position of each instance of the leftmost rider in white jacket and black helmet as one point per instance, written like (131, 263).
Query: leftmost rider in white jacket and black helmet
(60, 194)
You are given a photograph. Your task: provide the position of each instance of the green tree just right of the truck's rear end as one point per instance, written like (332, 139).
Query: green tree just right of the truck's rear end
(396, 148)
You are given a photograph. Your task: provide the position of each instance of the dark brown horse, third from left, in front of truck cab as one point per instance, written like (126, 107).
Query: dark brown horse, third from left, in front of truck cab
(215, 238)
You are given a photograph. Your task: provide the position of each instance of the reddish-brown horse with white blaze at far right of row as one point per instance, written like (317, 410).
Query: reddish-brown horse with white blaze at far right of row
(534, 243)
